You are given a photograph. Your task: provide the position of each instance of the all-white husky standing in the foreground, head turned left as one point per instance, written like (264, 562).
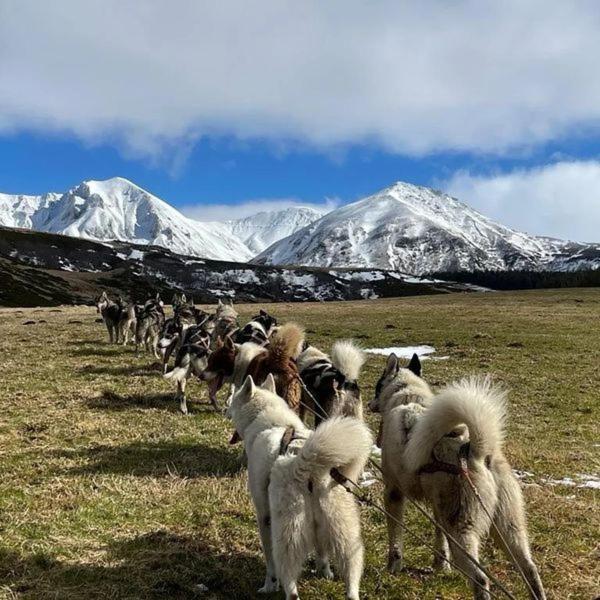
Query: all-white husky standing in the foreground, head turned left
(299, 507)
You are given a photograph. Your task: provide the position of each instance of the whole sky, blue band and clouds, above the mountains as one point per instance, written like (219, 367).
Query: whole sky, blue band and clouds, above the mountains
(247, 105)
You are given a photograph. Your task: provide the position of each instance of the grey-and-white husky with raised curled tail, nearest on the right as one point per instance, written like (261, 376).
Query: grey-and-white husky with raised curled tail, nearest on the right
(427, 440)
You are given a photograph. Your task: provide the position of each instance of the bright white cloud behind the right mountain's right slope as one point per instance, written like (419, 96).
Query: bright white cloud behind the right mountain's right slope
(559, 200)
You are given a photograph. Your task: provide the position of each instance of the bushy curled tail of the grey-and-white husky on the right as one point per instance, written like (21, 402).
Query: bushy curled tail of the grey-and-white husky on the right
(474, 402)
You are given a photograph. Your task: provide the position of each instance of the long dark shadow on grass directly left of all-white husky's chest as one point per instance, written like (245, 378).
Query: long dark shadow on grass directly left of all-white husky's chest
(159, 459)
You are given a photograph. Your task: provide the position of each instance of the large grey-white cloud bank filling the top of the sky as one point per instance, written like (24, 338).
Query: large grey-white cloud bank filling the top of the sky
(410, 77)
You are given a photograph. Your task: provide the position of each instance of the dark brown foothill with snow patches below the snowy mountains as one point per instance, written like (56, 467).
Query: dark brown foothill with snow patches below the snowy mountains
(47, 269)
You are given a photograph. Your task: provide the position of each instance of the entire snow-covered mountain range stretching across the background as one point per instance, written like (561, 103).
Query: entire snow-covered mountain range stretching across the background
(403, 227)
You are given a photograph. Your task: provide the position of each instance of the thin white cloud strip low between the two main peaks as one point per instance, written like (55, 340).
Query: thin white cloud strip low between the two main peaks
(225, 212)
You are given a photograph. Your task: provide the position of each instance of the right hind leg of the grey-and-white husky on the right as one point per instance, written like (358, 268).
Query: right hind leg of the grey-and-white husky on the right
(510, 521)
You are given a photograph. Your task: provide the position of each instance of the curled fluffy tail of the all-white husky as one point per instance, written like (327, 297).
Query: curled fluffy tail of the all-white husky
(341, 442)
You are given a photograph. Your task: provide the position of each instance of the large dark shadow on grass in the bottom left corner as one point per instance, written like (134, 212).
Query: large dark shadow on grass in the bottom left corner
(155, 565)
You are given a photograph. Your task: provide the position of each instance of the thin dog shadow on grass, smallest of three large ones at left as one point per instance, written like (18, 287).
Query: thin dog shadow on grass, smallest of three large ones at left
(112, 401)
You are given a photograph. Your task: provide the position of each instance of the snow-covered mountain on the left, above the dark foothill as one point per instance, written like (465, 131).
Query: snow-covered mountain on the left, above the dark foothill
(117, 209)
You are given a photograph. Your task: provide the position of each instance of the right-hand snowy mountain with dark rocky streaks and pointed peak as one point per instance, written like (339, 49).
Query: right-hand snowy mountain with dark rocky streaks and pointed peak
(419, 230)
